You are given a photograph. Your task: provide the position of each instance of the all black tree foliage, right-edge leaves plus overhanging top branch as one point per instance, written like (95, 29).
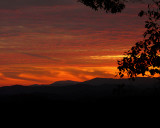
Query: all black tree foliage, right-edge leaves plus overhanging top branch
(144, 56)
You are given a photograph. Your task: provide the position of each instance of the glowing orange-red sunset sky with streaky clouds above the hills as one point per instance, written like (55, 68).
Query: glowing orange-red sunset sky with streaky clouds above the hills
(43, 41)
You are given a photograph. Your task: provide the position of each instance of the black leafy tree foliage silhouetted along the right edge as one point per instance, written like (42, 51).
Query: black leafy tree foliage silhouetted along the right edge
(144, 56)
